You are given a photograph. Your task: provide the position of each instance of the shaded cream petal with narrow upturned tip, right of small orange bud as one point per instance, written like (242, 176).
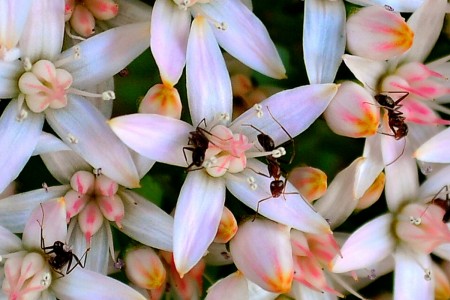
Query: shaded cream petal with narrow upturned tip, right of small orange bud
(340, 200)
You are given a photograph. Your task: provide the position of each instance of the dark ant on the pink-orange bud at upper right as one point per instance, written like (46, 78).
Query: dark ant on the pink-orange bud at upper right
(396, 119)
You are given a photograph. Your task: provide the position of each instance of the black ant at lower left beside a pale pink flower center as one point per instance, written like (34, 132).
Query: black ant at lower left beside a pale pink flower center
(60, 254)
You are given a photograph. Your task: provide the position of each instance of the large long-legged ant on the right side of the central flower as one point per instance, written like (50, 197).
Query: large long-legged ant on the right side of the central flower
(277, 185)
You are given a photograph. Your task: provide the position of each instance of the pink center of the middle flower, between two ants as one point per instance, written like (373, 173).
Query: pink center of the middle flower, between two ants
(226, 151)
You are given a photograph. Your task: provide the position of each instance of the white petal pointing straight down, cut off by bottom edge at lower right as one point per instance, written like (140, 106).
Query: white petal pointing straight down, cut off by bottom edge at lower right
(409, 281)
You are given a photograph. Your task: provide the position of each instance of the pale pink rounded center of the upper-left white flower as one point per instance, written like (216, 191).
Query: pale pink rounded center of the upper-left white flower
(43, 86)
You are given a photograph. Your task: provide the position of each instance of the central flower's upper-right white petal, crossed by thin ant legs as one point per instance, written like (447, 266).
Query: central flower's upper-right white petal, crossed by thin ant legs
(295, 109)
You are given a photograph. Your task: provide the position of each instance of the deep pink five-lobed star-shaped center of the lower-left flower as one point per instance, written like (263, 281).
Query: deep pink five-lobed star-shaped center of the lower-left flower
(93, 197)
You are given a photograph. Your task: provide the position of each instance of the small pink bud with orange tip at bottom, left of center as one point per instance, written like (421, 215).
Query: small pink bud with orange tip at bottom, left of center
(144, 268)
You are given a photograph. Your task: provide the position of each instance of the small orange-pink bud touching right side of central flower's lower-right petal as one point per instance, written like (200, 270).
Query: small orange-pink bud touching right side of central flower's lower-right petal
(310, 182)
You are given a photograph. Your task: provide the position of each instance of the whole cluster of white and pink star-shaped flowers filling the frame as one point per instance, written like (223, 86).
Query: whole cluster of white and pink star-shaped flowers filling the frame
(57, 62)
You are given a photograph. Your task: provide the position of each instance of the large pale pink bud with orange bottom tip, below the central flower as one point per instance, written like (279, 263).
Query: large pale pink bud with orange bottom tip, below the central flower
(261, 251)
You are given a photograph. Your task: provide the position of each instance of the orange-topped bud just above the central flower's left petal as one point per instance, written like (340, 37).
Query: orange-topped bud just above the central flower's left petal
(162, 99)
